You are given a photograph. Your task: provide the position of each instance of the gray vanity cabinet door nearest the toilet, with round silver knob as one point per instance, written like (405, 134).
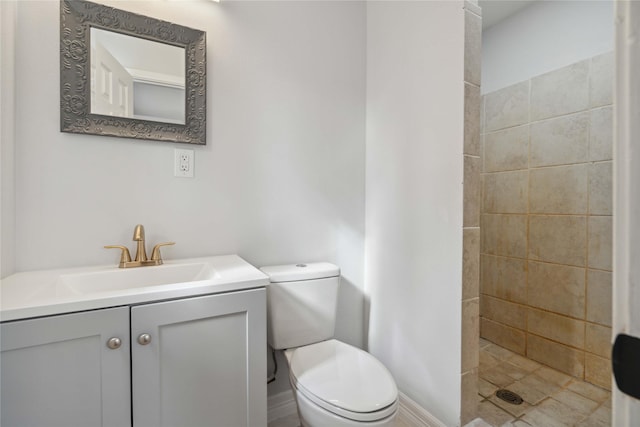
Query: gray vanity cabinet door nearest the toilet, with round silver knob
(205, 363)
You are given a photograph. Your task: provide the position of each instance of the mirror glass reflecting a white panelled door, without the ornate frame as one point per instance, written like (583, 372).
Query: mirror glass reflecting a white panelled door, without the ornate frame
(136, 78)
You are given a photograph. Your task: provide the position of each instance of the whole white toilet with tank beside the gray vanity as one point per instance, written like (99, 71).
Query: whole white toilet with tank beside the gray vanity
(335, 384)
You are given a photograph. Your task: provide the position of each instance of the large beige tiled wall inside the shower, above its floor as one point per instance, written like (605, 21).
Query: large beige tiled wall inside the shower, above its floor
(546, 218)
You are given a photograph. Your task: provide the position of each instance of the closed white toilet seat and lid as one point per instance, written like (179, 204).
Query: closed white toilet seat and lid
(344, 380)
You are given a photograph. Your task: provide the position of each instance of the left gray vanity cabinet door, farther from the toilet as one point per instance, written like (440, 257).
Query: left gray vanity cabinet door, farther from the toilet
(59, 371)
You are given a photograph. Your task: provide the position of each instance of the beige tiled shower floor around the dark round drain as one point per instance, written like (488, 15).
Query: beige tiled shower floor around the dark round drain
(551, 398)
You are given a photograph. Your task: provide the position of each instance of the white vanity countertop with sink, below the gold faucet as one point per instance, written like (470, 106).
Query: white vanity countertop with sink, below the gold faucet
(38, 293)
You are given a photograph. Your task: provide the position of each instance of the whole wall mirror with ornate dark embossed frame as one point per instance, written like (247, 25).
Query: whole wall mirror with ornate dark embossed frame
(128, 75)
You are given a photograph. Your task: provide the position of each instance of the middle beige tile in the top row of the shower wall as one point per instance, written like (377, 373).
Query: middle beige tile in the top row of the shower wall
(560, 92)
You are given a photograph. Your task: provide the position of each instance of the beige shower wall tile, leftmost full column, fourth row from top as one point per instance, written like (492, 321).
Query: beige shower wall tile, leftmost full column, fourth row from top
(504, 235)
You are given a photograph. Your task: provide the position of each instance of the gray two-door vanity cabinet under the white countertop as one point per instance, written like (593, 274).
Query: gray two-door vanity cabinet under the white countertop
(198, 361)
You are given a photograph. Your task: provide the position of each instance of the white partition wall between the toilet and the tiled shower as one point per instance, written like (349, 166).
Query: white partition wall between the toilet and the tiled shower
(413, 260)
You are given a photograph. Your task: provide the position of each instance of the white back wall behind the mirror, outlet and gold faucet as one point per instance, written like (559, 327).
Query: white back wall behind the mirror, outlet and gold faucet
(280, 180)
